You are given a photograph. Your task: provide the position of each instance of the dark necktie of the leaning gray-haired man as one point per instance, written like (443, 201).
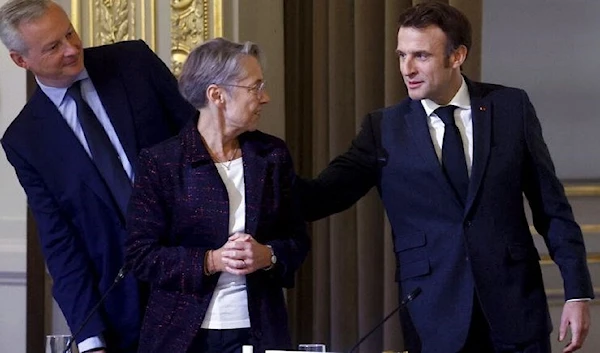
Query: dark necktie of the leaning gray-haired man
(103, 152)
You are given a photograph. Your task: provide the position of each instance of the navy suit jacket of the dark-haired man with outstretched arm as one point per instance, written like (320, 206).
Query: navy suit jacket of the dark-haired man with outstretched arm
(451, 250)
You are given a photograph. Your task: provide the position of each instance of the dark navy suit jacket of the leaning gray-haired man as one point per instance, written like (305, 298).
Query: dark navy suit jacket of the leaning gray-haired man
(81, 229)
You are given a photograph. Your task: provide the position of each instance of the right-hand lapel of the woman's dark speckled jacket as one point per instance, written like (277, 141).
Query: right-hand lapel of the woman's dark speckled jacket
(255, 172)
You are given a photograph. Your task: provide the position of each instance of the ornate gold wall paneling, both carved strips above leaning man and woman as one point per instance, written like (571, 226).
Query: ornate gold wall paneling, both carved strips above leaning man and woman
(191, 22)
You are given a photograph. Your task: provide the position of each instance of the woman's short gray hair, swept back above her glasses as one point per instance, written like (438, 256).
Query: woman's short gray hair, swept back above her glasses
(212, 62)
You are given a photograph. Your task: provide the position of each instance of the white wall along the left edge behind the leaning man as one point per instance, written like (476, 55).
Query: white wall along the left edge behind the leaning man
(12, 216)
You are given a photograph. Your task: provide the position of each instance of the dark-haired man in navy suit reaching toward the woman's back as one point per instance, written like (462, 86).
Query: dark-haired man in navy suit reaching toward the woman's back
(452, 181)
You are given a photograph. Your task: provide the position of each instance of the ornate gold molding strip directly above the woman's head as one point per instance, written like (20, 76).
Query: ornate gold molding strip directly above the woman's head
(193, 22)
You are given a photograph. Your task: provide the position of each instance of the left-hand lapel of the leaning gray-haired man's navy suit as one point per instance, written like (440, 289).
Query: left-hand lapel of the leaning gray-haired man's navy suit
(60, 139)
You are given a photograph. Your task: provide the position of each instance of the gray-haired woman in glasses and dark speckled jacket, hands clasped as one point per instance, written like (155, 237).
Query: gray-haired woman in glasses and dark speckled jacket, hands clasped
(213, 225)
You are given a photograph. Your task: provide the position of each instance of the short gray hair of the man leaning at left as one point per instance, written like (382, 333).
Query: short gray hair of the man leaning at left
(13, 14)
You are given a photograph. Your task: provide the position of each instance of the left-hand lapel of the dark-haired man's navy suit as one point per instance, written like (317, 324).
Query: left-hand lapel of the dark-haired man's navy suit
(416, 120)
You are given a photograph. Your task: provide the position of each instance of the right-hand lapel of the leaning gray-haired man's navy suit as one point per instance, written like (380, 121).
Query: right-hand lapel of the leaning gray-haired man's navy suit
(113, 97)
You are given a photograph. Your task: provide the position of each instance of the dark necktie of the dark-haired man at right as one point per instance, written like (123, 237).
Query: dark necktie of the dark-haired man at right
(453, 154)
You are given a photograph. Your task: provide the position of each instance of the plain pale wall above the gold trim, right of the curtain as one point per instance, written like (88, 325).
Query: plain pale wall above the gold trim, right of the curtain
(551, 48)
